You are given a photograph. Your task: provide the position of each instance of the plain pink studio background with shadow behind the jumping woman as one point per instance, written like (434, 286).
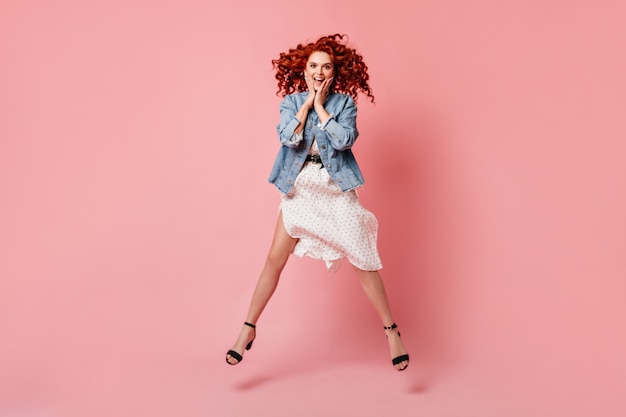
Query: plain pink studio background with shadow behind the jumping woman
(135, 142)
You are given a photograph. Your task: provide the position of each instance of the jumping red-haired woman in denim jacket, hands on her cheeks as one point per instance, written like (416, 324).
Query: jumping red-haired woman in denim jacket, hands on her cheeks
(317, 174)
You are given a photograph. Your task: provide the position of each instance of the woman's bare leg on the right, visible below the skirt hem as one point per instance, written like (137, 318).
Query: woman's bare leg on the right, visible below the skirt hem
(374, 289)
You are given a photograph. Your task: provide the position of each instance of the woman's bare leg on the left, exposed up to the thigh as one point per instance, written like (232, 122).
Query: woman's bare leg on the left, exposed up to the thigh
(282, 246)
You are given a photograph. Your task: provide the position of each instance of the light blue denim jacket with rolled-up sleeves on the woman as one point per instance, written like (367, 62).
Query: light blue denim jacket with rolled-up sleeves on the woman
(334, 140)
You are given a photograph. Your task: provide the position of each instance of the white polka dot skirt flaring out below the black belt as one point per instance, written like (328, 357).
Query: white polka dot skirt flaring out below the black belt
(330, 224)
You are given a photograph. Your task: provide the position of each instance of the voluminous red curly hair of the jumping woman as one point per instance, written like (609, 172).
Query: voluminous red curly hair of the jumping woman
(350, 70)
